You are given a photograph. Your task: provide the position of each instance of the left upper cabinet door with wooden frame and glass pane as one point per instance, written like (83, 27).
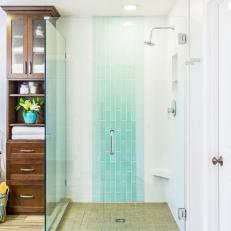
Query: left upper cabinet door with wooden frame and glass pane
(17, 47)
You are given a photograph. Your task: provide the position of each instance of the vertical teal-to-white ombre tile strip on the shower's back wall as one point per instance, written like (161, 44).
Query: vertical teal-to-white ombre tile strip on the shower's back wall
(118, 104)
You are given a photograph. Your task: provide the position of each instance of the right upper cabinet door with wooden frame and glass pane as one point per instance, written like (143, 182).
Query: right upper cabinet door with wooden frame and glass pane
(36, 47)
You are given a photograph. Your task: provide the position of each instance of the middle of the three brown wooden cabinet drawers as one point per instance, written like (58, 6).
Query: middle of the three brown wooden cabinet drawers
(27, 169)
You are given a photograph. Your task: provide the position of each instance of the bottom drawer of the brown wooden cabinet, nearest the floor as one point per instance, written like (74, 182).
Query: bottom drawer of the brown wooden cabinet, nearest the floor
(26, 196)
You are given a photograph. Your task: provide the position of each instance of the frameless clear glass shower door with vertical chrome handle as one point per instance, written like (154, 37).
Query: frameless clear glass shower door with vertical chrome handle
(126, 147)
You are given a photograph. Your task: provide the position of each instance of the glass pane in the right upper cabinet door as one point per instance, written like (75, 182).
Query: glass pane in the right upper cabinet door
(38, 46)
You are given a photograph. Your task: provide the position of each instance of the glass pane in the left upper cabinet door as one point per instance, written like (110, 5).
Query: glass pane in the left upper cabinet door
(17, 46)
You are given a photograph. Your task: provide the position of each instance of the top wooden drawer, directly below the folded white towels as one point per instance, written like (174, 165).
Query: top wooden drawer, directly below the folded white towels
(25, 149)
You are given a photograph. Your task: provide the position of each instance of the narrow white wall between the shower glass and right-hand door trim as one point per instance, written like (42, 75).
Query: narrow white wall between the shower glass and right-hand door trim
(197, 157)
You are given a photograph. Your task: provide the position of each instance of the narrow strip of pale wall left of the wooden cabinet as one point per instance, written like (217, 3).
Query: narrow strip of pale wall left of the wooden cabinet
(2, 87)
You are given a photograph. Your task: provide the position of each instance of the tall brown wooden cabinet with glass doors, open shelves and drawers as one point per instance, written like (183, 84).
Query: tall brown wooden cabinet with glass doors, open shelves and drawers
(25, 159)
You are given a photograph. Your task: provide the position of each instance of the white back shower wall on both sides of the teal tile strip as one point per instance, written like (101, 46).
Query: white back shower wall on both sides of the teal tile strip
(78, 33)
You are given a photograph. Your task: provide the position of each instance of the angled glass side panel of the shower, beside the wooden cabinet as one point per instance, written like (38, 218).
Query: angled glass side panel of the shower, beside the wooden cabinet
(55, 124)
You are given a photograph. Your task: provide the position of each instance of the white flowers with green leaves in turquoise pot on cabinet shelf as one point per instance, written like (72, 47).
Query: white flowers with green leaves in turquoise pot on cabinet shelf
(30, 109)
